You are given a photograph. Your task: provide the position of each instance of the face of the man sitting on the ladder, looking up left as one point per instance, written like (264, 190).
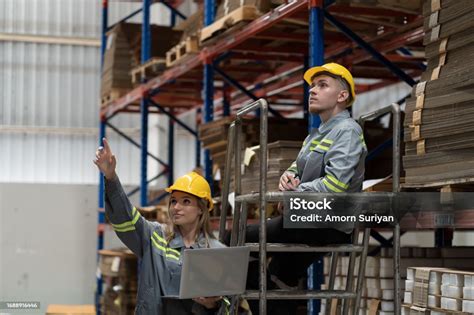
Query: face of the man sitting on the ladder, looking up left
(324, 94)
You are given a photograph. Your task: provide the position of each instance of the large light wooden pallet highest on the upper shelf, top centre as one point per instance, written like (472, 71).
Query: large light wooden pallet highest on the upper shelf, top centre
(245, 14)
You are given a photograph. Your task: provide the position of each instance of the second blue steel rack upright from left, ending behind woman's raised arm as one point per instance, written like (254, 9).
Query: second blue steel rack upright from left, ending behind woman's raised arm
(146, 49)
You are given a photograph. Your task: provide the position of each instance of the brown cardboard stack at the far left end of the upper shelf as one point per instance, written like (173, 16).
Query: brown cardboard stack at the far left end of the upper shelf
(123, 52)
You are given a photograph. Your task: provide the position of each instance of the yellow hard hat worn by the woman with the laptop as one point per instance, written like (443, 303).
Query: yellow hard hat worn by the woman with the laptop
(194, 184)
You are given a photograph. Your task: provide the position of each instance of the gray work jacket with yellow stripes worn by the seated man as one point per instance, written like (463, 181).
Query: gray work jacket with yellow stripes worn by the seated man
(332, 157)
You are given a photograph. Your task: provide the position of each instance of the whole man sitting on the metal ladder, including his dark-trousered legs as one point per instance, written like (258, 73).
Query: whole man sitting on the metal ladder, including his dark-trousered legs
(331, 160)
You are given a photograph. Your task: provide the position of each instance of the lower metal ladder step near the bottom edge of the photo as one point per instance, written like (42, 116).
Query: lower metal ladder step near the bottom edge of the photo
(299, 294)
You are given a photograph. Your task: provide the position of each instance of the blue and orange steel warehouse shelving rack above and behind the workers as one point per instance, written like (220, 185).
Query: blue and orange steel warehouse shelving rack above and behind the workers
(277, 42)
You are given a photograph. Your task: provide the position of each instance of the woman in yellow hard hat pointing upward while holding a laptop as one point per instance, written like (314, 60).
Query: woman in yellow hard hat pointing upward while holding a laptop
(160, 249)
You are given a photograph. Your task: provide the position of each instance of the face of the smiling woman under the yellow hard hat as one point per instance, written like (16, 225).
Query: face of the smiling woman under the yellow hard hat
(184, 209)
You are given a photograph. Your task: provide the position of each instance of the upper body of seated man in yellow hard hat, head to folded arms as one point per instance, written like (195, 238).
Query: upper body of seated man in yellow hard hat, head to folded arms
(332, 156)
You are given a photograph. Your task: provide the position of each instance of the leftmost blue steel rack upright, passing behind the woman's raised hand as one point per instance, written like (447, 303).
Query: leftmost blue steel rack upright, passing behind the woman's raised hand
(101, 214)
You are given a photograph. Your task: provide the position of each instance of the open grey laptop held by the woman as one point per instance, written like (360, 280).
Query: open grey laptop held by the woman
(213, 272)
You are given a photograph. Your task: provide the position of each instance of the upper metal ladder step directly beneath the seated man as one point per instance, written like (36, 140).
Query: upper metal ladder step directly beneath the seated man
(278, 247)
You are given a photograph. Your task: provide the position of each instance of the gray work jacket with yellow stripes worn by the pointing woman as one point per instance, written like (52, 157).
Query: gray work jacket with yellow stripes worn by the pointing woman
(160, 261)
